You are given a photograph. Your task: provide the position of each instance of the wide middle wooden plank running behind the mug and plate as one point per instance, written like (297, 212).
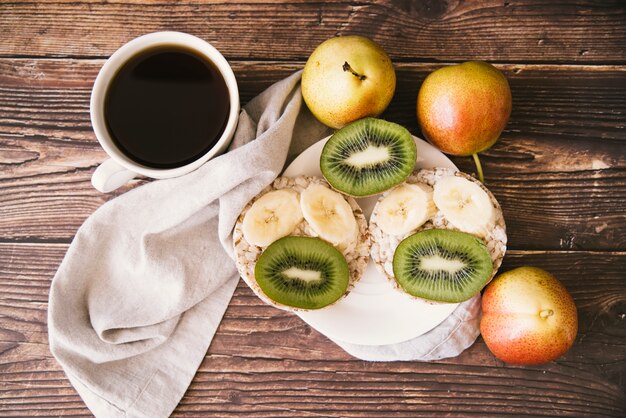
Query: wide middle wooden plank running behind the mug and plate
(558, 170)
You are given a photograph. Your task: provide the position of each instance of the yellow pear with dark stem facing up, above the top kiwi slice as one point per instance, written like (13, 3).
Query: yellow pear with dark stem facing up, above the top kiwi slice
(347, 78)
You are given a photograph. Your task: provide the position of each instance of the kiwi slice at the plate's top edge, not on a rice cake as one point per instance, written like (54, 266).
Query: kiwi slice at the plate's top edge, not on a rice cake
(368, 157)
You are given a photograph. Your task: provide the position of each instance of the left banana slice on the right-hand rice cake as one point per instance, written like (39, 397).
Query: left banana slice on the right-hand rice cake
(405, 208)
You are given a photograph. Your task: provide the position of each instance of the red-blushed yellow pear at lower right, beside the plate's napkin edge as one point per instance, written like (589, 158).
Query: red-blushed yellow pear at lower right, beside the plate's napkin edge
(529, 317)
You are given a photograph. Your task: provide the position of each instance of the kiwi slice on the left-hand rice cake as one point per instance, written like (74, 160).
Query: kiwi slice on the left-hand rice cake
(302, 272)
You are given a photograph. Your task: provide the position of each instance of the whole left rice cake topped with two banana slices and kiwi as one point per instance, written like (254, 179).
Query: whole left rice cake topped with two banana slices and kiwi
(299, 245)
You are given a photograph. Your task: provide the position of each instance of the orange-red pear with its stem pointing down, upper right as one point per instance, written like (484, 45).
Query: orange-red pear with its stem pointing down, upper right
(462, 109)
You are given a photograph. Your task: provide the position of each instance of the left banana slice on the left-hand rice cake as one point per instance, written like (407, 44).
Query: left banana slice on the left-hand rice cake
(274, 215)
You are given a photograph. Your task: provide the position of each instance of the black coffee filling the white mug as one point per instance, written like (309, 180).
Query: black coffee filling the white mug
(166, 107)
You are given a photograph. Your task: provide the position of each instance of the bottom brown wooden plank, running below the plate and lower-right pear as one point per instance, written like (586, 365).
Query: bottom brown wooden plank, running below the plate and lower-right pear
(266, 362)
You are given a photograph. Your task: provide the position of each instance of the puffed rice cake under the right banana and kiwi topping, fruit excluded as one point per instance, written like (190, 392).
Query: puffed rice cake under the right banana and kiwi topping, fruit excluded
(384, 245)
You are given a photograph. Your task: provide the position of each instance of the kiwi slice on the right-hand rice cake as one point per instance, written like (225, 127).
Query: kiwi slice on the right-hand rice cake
(442, 265)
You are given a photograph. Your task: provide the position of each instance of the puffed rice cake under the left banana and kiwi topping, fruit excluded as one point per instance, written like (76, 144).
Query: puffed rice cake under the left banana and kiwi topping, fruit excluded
(247, 254)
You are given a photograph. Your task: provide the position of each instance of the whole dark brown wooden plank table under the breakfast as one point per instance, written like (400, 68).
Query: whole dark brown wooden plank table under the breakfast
(559, 171)
